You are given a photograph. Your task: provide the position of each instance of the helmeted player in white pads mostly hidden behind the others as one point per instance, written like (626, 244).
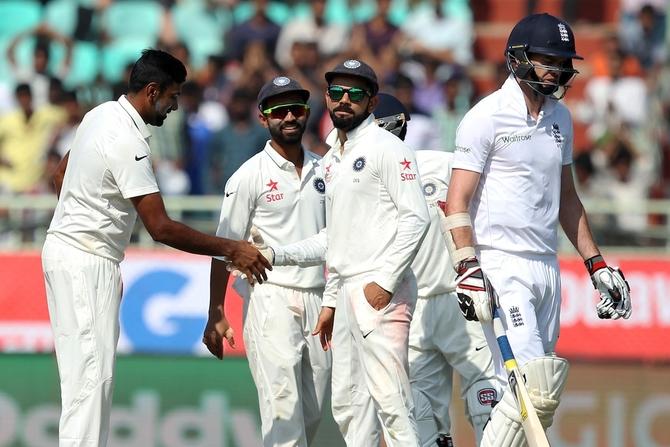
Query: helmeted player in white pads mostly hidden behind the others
(441, 341)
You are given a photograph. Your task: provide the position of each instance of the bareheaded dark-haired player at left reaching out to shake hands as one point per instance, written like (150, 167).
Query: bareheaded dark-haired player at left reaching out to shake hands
(104, 182)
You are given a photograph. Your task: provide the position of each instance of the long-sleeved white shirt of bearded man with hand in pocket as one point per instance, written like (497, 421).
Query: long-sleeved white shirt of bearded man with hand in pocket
(375, 211)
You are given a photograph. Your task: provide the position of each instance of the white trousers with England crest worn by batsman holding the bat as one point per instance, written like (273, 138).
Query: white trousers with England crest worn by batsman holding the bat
(529, 290)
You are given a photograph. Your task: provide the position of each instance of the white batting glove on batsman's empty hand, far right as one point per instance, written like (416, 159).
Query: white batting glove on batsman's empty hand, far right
(613, 289)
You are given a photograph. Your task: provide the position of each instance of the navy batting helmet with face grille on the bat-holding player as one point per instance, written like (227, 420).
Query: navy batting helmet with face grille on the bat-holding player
(546, 35)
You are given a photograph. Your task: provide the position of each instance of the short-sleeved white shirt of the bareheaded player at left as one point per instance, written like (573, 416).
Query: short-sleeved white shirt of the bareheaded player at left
(109, 163)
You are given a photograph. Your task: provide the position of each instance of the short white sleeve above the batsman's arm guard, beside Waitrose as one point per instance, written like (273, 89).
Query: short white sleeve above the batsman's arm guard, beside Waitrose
(474, 141)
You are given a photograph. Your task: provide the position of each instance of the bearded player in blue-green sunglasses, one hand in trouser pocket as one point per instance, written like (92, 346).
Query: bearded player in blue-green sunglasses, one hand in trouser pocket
(376, 218)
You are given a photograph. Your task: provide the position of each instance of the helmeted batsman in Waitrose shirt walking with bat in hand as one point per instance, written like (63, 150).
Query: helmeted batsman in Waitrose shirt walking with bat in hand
(511, 186)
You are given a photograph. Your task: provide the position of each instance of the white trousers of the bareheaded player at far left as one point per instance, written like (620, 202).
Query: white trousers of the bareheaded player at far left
(83, 296)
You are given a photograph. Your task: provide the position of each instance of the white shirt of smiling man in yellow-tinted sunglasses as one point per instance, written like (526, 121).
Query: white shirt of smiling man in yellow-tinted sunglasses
(267, 193)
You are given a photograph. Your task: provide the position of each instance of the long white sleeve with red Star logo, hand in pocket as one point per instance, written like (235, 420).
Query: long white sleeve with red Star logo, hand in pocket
(399, 175)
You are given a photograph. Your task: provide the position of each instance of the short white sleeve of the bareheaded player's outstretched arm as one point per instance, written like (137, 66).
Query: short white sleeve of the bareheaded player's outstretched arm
(130, 164)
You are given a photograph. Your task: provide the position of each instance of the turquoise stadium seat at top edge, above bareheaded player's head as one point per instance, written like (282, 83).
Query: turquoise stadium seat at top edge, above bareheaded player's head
(133, 18)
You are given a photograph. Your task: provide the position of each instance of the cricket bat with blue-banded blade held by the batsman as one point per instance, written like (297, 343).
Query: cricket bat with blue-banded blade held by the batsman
(532, 427)
